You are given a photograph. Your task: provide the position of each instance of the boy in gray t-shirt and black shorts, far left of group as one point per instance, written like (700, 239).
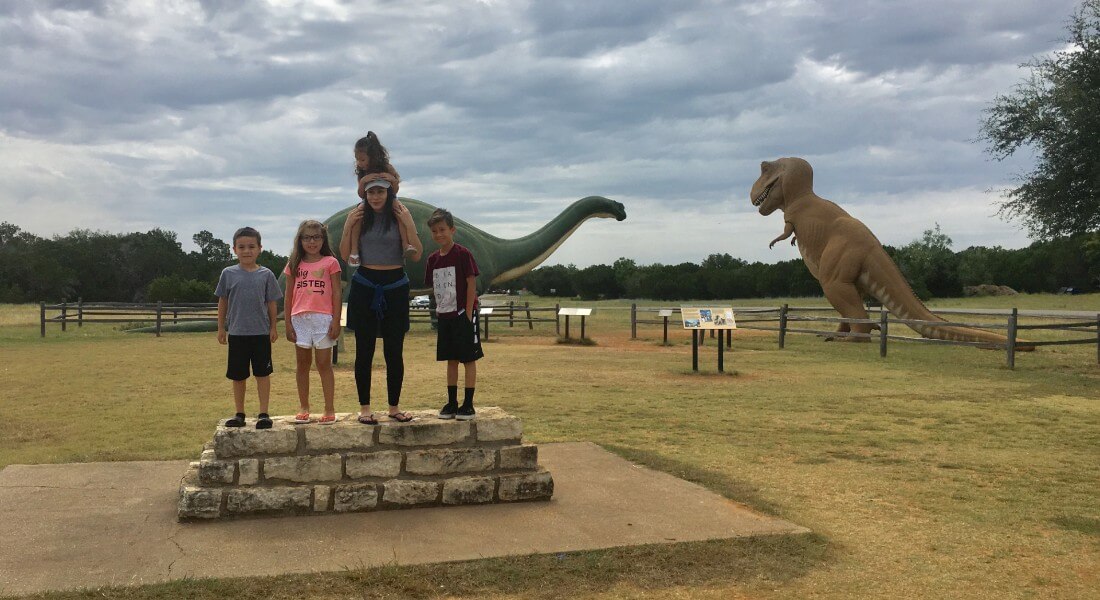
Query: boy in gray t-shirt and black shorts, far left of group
(247, 294)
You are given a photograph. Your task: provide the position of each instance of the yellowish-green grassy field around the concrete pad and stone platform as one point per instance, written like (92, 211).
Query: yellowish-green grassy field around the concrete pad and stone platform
(936, 473)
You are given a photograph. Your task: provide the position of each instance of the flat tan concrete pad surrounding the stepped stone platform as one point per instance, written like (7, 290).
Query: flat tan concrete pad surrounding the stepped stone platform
(67, 527)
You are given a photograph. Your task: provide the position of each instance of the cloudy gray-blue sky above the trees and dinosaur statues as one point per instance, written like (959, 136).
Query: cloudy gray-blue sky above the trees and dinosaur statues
(127, 116)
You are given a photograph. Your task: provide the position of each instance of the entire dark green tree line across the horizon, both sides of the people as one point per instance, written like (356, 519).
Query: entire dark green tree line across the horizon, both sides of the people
(152, 266)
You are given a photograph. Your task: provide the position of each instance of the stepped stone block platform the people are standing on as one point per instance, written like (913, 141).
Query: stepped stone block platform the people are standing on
(350, 467)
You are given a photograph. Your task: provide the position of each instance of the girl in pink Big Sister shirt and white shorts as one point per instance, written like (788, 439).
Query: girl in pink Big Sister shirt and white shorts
(313, 307)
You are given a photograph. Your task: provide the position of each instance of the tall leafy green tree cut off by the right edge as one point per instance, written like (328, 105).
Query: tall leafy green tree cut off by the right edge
(1057, 112)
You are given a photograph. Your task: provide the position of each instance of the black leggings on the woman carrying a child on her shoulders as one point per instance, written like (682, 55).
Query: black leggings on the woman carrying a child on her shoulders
(391, 329)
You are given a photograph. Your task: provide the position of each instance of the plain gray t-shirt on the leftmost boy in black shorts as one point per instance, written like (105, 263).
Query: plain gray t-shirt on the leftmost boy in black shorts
(249, 293)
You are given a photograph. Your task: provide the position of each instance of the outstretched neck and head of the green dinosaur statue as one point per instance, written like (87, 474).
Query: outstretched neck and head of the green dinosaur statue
(527, 253)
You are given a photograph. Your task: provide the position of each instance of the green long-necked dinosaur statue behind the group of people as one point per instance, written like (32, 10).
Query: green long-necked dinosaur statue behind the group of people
(499, 260)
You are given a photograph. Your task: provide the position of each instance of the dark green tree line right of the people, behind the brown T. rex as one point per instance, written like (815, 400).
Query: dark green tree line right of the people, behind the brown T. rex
(930, 265)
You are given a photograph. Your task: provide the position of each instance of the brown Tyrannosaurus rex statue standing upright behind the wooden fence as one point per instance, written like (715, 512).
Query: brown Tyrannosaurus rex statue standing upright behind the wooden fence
(845, 257)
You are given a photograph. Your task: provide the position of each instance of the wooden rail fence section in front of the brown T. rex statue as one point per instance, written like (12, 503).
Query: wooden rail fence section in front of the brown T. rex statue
(785, 317)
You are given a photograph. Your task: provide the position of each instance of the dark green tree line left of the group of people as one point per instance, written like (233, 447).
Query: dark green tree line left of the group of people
(101, 267)
